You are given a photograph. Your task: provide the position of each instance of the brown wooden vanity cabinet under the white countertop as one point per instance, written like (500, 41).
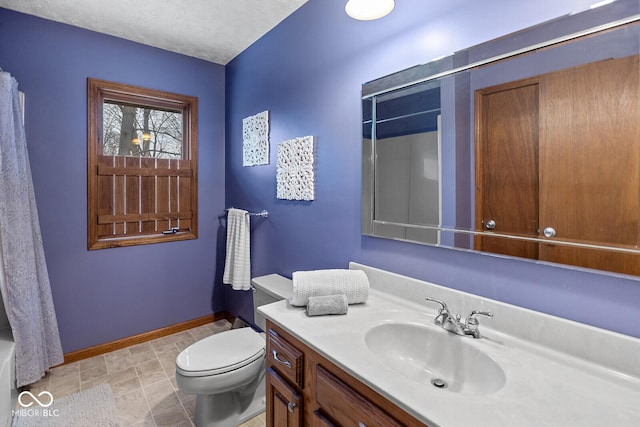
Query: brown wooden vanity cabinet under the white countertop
(306, 389)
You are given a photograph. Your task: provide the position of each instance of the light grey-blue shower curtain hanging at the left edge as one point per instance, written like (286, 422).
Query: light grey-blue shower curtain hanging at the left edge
(28, 294)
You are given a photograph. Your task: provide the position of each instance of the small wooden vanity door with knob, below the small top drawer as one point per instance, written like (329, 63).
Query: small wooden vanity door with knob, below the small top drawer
(284, 403)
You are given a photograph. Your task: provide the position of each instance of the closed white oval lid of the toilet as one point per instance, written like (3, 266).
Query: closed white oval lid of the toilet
(220, 353)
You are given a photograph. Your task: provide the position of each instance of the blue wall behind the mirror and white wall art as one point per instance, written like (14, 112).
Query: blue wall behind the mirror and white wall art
(308, 72)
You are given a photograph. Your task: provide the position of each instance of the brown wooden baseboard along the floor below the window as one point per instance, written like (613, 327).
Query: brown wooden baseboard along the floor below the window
(121, 343)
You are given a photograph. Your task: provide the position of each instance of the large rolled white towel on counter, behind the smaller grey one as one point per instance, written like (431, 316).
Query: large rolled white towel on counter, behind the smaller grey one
(353, 283)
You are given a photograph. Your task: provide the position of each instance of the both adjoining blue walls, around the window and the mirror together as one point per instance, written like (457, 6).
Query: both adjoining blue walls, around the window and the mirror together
(307, 72)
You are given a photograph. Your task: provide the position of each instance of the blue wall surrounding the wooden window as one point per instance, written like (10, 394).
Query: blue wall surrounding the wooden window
(108, 294)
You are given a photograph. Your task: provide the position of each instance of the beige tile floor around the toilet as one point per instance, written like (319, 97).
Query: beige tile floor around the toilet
(142, 378)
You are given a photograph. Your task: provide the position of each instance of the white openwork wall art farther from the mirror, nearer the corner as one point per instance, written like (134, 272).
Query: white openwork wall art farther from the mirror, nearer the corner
(255, 139)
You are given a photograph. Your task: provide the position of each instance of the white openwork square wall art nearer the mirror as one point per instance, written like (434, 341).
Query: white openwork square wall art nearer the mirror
(295, 177)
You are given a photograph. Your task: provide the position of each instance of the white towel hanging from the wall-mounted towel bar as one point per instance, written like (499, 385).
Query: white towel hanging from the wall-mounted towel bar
(237, 265)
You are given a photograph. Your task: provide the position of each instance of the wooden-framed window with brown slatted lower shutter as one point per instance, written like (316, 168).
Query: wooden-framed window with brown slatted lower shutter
(142, 165)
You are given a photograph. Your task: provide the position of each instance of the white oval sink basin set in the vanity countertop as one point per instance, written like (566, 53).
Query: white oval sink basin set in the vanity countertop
(435, 357)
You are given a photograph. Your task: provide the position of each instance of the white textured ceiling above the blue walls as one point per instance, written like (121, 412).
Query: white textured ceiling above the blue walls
(213, 30)
